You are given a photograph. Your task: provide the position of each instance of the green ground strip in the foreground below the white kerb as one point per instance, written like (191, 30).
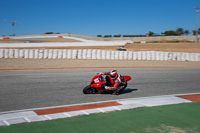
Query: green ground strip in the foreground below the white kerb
(180, 118)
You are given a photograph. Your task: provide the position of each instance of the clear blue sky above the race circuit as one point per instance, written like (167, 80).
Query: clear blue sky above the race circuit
(96, 17)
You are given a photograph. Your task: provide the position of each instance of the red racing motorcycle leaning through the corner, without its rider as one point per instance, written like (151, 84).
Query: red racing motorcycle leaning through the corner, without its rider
(98, 83)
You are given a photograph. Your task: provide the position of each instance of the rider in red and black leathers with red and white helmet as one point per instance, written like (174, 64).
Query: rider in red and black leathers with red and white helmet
(115, 81)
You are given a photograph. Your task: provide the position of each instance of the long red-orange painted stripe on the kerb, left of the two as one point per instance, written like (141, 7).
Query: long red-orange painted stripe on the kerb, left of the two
(75, 108)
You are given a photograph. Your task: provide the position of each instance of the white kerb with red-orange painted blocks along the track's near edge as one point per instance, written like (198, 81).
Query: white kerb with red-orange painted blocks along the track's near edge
(49, 113)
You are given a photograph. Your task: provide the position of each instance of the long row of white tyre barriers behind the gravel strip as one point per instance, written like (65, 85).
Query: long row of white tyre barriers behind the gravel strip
(97, 54)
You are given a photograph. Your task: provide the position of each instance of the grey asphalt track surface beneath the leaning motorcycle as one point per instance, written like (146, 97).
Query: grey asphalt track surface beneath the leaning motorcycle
(42, 88)
